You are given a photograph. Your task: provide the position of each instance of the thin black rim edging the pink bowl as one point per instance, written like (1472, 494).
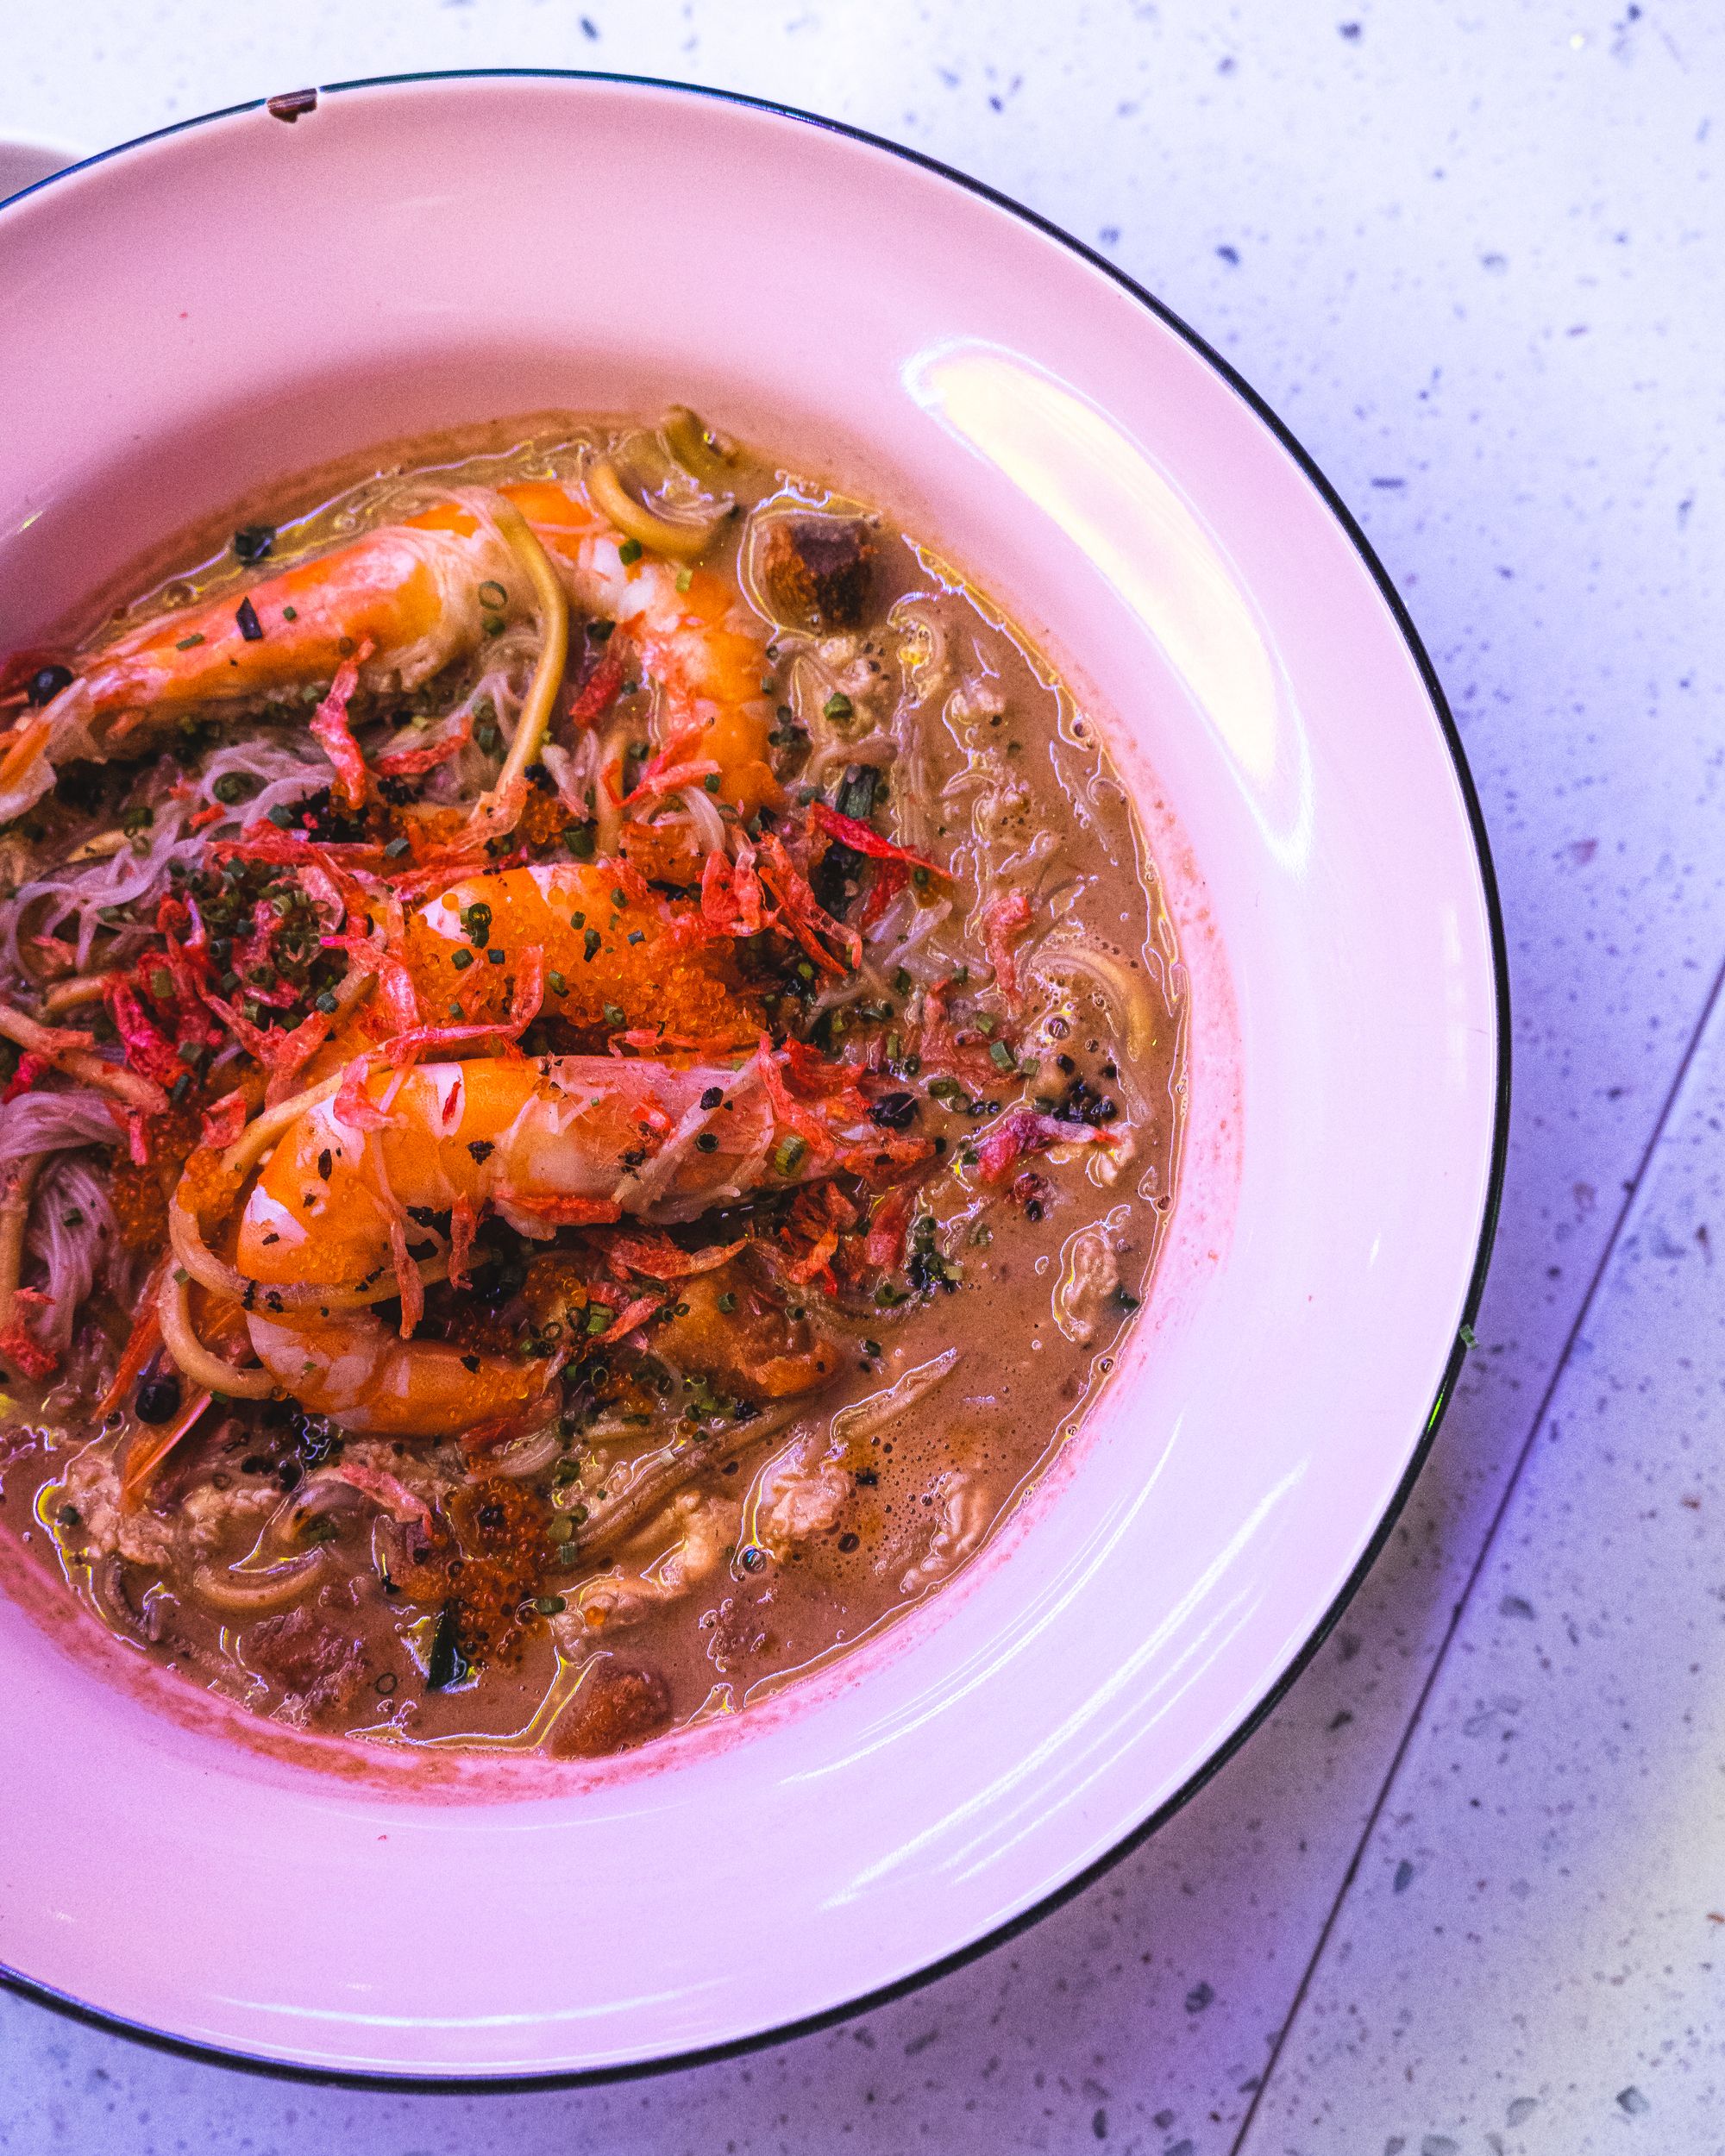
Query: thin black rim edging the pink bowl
(1060, 1896)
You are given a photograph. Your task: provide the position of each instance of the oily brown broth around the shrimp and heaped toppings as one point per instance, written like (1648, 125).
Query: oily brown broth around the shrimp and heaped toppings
(999, 773)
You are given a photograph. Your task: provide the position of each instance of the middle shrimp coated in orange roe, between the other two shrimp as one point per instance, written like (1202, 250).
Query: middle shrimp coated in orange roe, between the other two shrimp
(613, 963)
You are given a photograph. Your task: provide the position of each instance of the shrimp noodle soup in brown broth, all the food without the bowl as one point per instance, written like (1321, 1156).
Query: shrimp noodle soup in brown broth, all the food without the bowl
(596, 1075)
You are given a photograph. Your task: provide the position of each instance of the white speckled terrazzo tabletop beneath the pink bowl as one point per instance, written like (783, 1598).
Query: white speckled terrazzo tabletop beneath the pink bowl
(1465, 1892)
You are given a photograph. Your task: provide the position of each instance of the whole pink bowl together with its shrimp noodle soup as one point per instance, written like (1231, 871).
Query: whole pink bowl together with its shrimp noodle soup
(754, 1075)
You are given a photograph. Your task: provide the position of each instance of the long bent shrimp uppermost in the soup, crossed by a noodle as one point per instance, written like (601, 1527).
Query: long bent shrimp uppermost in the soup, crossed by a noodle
(422, 594)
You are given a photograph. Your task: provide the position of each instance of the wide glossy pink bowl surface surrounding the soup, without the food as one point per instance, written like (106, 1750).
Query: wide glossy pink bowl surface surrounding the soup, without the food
(247, 296)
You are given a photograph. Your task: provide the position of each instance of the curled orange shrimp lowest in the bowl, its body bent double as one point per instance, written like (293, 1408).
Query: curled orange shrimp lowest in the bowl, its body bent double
(560, 1142)
